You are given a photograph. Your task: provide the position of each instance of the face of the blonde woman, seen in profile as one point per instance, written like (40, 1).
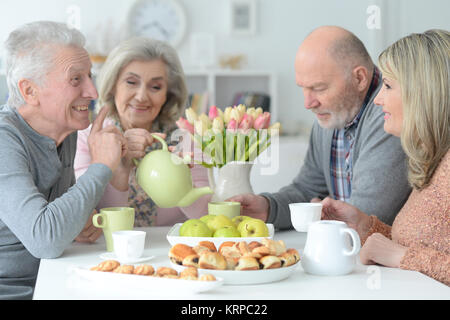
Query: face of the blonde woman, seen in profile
(390, 98)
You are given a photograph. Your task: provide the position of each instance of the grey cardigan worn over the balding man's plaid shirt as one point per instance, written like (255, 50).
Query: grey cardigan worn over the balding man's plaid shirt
(379, 177)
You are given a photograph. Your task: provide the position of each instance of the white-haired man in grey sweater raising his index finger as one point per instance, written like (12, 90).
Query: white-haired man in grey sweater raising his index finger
(43, 208)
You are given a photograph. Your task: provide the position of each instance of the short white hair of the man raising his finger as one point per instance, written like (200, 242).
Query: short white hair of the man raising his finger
(30, 50)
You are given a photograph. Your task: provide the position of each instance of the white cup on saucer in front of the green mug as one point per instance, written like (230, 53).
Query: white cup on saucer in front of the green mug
(128, 244)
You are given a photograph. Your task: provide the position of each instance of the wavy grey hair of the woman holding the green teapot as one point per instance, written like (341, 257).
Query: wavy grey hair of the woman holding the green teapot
(144, 49)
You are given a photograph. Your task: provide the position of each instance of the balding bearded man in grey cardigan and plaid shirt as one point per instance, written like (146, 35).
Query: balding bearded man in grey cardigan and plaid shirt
(350, 157)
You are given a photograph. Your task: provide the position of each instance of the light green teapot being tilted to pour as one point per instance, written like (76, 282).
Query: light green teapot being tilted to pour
(167, 179)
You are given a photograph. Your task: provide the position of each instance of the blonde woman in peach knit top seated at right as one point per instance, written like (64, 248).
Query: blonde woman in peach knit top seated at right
(415, 99)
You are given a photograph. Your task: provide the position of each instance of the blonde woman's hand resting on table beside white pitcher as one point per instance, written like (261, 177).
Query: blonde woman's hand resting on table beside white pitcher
(380, 250)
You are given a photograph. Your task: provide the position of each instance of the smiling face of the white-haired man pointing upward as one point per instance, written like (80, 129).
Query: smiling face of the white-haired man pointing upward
(67, 90)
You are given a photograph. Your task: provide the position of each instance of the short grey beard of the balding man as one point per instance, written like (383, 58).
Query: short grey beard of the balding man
(345, 109)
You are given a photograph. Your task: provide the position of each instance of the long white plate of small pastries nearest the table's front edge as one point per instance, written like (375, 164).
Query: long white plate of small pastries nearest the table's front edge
(149, 277)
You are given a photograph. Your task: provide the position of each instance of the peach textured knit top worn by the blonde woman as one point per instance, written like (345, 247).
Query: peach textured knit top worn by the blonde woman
(423, 225)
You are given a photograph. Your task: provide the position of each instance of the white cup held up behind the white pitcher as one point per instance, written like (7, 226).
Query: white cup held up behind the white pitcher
(304, 213)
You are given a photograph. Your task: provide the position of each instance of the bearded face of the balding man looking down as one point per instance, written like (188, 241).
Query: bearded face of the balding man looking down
(328, 92)
